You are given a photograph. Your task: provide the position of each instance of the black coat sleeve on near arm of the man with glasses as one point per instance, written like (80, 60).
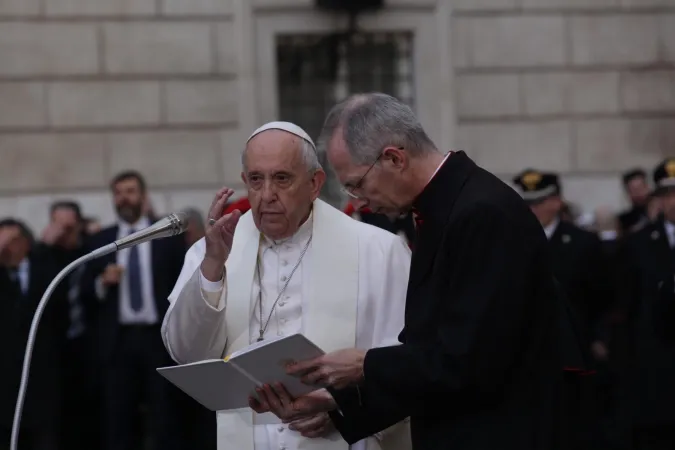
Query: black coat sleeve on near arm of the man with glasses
(479, 331)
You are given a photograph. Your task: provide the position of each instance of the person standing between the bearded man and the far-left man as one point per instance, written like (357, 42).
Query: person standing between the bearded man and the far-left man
(65, 235)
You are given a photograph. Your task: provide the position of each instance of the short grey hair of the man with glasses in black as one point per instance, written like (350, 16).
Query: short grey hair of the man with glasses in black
(371, 122)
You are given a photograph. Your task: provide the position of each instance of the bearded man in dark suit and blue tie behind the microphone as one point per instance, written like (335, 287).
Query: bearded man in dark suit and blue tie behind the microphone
(131, 288)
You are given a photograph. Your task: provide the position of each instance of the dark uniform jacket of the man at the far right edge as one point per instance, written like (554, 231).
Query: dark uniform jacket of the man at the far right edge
(647, 270)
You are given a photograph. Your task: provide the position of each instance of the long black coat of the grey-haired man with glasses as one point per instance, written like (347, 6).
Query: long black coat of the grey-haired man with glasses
(480, 365)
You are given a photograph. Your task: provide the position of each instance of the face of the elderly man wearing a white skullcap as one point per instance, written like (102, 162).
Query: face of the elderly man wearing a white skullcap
(280, 187)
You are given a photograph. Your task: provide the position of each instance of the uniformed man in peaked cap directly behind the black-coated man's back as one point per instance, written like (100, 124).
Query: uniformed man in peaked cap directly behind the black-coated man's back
(578, 265)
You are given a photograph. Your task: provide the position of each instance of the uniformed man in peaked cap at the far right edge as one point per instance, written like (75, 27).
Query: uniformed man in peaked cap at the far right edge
(647, 271)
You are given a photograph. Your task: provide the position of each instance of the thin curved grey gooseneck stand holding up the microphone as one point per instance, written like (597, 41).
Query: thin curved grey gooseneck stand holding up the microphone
(110, 248)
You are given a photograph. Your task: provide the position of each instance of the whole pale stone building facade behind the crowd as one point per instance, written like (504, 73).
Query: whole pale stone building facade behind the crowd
(173, 87)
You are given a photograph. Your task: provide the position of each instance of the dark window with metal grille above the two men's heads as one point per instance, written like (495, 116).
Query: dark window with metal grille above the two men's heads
(316, 71)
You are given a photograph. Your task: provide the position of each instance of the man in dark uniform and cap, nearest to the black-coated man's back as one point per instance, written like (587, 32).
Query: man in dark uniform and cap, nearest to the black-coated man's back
(579, 264)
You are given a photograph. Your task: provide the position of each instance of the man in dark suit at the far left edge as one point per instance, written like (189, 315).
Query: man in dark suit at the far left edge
(26, 269)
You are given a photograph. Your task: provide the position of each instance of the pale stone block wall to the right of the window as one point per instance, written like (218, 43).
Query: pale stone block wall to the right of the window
(582, 87)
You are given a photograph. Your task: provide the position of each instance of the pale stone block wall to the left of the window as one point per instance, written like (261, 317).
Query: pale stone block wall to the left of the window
(92, 87)
